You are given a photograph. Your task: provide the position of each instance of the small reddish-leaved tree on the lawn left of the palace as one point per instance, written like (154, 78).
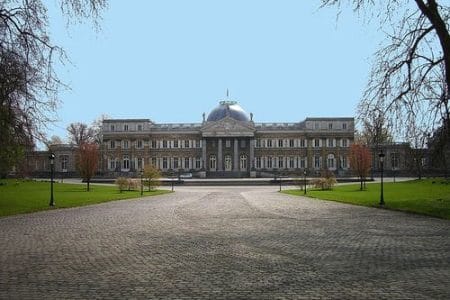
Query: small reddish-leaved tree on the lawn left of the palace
(87, 156)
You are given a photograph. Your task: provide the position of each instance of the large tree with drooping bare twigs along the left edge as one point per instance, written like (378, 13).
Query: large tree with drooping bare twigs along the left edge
(29, 84)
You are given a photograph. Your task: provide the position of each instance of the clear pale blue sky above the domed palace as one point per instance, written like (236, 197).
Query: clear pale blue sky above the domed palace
(170, 61)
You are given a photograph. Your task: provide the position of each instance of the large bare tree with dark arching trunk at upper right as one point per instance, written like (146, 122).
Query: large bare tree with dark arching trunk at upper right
(411, 72)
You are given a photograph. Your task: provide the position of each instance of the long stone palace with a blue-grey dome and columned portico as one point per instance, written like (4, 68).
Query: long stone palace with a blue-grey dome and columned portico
(227, 143)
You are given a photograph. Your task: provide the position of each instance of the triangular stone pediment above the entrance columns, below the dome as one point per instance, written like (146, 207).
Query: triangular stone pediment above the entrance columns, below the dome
(228, 127)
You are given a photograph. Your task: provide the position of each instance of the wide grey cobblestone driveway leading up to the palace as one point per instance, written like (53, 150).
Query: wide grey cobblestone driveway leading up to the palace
(224, 243)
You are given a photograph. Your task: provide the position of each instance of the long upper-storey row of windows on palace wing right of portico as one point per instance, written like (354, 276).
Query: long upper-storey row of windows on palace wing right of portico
(301, 143)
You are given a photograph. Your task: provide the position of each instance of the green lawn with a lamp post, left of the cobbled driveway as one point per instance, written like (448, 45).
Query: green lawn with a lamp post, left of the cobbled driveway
(18, 197)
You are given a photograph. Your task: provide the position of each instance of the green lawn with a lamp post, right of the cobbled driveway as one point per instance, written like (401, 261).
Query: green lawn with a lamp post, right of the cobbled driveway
(429, 197)
